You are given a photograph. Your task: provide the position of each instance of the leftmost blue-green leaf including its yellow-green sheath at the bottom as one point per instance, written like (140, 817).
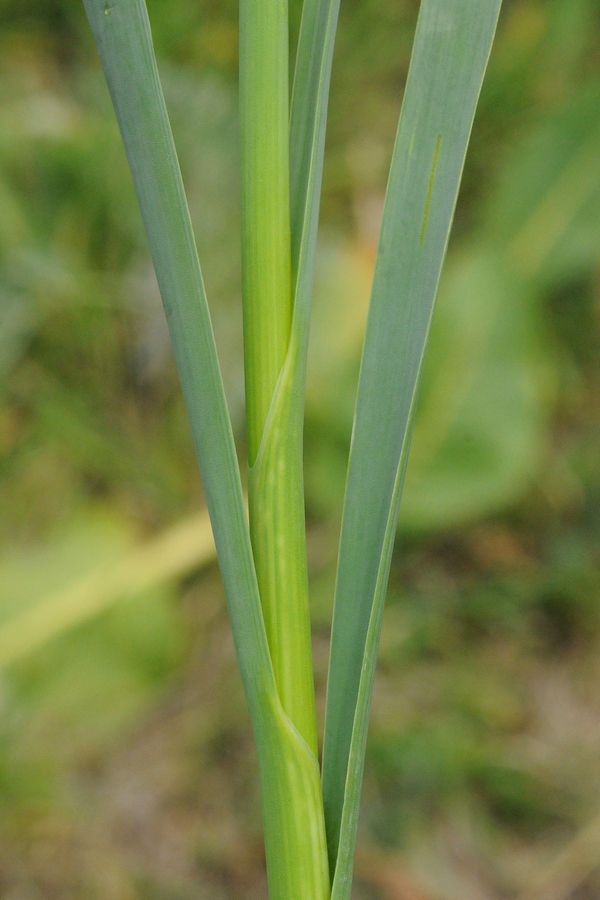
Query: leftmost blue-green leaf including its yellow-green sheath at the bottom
(292, 803)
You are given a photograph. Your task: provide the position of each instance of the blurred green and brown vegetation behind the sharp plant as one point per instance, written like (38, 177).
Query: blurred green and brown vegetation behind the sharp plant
(126, 763)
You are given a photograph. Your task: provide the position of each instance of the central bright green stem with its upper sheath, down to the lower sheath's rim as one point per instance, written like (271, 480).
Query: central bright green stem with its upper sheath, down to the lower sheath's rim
(274, 432)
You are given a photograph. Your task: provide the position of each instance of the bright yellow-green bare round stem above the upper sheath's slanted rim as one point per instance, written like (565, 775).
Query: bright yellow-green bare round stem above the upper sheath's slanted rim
(266, 253)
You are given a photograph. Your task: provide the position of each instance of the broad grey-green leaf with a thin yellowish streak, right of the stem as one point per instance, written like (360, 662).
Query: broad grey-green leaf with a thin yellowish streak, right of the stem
(452, 46)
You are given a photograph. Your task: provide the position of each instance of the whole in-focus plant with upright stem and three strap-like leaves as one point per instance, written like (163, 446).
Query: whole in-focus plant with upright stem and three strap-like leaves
(309, 812)
